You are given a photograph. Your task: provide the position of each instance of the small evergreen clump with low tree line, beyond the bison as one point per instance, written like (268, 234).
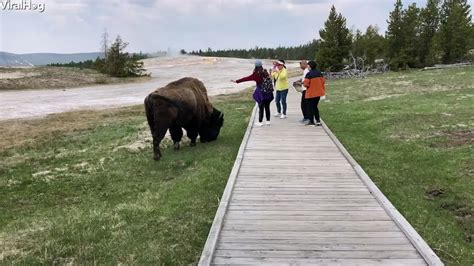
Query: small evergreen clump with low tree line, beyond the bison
(115, 63)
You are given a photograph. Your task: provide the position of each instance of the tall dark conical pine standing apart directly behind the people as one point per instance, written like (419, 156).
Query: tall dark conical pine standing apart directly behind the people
(336, 42)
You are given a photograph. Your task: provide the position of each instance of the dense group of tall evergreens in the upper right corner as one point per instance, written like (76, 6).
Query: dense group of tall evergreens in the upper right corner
(441, 32)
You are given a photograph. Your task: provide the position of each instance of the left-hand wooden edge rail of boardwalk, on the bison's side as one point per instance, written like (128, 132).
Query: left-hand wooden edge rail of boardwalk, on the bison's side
(210, 246)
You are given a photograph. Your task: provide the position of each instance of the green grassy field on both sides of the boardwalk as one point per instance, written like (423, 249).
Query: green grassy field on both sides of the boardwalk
(79, 187)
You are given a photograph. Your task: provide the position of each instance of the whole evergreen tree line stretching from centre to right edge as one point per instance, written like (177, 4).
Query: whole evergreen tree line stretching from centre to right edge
(440, 32)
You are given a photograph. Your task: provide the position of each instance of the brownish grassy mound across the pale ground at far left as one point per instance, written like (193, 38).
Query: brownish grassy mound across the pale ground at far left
(55, 78)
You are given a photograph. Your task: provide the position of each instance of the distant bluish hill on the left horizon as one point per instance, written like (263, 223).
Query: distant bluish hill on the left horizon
(38, 59)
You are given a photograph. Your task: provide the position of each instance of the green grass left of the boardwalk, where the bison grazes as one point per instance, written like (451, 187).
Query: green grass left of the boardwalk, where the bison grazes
(73, 197)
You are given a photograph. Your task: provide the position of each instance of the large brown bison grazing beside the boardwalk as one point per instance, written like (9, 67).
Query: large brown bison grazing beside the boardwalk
(182, 104)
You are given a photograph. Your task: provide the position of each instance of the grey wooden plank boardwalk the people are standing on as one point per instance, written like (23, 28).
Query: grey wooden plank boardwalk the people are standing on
(296, 197)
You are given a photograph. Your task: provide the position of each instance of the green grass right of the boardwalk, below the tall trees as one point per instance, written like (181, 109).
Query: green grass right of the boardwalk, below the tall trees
(413, 133)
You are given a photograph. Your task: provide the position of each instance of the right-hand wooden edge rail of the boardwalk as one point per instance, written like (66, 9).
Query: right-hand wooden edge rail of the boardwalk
(426, 252)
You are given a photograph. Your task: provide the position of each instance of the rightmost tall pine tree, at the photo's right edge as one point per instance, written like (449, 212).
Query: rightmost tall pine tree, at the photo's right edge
(455, 31)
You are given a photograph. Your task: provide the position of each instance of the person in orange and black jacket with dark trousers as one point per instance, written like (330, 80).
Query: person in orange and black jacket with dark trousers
(314, 83)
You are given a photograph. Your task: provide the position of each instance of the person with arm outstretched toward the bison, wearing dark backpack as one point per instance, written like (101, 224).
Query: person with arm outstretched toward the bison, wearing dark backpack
(263, 99)
